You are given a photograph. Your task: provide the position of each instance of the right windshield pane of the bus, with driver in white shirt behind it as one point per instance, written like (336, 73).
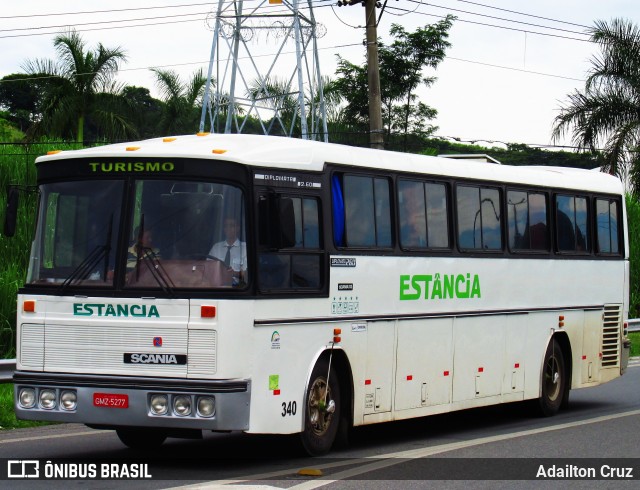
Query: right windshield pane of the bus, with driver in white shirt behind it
(186, 235)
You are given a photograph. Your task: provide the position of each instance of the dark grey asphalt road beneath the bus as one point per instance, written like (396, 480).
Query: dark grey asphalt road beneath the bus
(496, 447)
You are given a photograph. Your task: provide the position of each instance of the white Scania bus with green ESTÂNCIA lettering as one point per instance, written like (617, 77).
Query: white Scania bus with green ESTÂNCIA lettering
(272, 285)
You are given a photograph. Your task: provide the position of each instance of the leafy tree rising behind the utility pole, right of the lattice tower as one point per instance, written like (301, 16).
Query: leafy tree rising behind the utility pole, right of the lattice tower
(401, 74)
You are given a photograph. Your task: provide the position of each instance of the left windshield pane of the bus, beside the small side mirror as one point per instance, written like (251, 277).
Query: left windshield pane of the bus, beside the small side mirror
(75, 241)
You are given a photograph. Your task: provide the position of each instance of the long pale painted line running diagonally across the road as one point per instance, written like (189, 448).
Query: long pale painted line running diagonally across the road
(391, 459)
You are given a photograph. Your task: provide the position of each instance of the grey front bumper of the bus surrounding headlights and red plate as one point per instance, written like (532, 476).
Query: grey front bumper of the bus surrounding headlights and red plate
(232, 400)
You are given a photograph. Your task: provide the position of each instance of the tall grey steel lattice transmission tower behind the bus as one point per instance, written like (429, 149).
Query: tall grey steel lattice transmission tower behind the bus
(281, 91)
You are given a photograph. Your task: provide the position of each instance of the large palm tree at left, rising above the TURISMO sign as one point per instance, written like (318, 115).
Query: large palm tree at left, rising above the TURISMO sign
(80, 86)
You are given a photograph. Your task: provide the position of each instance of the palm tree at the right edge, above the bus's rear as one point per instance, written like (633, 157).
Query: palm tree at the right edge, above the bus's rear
(607, 114)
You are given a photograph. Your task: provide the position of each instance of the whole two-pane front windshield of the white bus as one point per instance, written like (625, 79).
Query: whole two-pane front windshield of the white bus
(177, 234)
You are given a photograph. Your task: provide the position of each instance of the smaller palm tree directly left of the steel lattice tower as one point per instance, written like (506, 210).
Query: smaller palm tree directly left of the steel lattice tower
(180, 113)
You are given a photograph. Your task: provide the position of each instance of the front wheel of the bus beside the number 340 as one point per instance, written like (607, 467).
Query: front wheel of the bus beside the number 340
(322, 410)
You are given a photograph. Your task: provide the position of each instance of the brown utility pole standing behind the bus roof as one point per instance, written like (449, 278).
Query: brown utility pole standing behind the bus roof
(376, 132)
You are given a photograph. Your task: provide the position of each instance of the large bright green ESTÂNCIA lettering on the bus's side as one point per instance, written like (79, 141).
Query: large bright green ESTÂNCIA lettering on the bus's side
(427, 286)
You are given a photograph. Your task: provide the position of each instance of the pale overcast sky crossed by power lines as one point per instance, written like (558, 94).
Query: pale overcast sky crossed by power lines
(509, 69)
